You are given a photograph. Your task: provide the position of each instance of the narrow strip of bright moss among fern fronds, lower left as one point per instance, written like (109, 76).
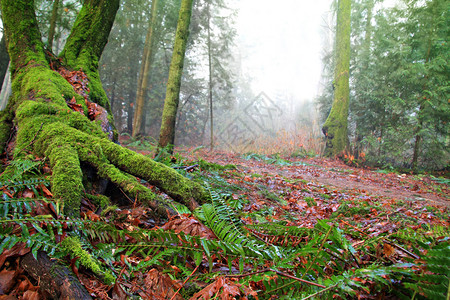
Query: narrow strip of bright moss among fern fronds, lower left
(72, 246)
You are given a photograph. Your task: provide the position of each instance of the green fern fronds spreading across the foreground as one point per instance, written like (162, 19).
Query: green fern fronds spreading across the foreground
(275, 259)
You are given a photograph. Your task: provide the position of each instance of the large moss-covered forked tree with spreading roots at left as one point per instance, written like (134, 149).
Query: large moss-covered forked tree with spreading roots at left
(47, 126)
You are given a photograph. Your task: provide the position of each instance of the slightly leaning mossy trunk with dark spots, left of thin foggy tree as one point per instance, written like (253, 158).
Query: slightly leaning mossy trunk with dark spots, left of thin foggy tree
(167, 132)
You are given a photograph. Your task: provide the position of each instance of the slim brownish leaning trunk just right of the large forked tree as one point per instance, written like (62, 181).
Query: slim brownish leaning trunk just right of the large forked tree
(147, 58)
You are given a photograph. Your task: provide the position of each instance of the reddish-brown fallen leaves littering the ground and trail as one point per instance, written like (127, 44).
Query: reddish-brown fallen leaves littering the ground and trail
(364, 205)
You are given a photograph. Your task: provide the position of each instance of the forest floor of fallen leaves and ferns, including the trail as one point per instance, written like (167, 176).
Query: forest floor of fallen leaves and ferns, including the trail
(347, 228)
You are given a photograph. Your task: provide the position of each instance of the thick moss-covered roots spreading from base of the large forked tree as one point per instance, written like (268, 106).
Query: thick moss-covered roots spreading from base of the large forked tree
(66, 147)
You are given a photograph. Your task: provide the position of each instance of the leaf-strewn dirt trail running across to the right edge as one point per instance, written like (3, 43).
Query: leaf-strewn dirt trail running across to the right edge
(335, 175)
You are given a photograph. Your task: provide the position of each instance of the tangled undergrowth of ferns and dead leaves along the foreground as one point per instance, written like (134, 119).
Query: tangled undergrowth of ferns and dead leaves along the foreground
(335, 258)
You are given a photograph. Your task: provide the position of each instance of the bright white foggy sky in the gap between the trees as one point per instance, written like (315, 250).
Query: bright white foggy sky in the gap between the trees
(283, 43)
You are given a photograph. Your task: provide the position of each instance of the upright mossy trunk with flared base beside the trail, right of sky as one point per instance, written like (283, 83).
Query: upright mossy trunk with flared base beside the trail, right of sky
(335, 128)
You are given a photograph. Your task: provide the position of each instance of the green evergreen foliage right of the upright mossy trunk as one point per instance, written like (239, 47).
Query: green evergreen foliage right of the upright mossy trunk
(399, 84)
